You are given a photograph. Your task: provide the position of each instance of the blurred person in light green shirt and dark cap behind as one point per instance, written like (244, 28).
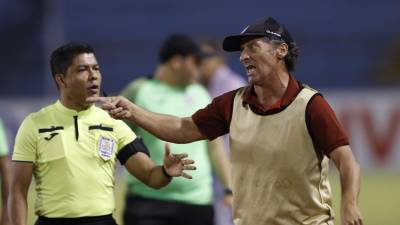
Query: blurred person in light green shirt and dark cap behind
(173, 90)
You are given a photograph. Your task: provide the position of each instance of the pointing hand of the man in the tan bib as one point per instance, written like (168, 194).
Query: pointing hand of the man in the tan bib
(118, 107)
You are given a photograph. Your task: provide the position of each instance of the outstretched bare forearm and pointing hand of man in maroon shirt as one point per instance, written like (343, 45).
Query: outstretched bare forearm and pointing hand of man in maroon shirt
(166, 127)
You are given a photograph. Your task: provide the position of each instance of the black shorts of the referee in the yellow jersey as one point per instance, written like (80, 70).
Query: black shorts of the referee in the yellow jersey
(95, 220)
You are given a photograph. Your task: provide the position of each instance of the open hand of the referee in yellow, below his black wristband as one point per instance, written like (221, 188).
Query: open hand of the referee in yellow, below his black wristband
(175, 164)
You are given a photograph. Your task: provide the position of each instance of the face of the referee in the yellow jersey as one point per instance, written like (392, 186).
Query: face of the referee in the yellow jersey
(83, 79)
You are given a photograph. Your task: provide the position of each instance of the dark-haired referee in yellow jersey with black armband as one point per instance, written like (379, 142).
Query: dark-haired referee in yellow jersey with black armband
(71, 148)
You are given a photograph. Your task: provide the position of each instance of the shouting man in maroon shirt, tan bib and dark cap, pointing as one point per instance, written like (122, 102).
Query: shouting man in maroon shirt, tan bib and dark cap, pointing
(268, 54)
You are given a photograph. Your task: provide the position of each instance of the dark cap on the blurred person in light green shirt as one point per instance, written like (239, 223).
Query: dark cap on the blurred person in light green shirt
(179, 44)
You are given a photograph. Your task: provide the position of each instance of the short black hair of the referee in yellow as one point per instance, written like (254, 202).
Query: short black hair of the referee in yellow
(62, 57)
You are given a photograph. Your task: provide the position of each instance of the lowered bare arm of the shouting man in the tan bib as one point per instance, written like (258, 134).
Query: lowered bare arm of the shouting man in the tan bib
(350, 183)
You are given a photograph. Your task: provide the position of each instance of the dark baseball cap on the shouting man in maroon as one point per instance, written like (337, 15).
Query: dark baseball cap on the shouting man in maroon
(266, 27)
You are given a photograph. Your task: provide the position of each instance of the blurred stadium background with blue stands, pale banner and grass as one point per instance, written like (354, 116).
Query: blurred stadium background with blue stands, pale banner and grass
(350, 50)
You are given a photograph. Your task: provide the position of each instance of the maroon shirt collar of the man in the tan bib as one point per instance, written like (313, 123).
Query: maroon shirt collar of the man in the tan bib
(291, 92)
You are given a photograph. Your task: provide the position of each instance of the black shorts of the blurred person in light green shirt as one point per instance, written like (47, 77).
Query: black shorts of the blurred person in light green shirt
(145, 211)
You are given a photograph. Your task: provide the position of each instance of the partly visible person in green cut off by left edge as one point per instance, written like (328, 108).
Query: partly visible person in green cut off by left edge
(4, 173)
